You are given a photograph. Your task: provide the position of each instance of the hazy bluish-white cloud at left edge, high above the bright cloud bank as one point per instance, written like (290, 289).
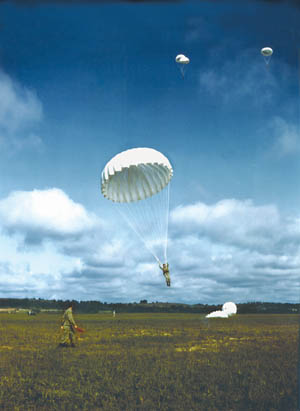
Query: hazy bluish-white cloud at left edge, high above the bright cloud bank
(20, 110)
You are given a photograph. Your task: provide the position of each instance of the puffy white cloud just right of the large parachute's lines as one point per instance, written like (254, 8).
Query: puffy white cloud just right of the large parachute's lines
(230, 221)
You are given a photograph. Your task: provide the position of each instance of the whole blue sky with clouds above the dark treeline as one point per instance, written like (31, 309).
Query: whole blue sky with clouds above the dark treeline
(80, 83)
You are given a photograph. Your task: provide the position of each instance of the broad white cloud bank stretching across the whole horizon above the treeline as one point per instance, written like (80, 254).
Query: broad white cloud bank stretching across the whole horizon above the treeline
(230, 250)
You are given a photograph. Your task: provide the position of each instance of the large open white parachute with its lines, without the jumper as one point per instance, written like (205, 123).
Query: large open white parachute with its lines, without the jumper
(137, 182)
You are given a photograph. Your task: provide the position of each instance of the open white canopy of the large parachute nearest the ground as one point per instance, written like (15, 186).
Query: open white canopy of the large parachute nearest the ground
(135, 175)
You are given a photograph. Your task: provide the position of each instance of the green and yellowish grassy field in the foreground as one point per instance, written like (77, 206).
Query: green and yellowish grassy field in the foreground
(150, 362)
